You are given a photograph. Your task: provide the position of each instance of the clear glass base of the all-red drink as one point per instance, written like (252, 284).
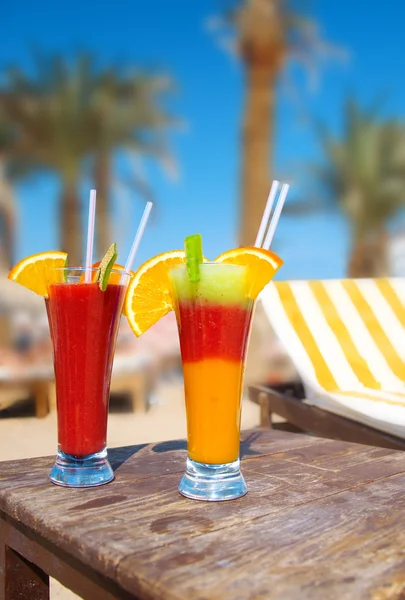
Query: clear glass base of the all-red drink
(86, 471)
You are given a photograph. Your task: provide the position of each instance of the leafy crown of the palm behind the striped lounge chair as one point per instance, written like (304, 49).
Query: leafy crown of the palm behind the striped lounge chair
(364, 168)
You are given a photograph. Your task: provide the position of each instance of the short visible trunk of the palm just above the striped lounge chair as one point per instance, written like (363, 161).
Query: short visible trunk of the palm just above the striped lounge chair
(369, 255)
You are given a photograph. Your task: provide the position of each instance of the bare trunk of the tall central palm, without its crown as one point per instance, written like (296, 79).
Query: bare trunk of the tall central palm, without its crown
(256, 149)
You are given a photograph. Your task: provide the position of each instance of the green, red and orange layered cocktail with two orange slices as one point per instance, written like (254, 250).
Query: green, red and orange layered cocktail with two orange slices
(213, 302)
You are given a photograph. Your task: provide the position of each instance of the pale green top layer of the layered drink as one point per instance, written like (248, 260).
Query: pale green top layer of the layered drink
(219, 284)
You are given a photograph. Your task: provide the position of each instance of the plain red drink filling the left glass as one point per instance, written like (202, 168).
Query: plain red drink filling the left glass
(84, 325)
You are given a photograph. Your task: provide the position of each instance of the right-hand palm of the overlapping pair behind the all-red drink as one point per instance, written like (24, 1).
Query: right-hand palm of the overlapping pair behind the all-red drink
(127, 114)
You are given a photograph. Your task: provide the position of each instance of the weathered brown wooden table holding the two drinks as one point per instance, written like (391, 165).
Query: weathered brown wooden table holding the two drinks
(323, 520)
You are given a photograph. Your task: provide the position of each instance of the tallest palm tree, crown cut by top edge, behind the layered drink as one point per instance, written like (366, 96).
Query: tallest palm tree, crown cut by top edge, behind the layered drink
(265, 34)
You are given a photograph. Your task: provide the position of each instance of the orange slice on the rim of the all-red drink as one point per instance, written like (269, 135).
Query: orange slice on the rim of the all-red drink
(35, 271)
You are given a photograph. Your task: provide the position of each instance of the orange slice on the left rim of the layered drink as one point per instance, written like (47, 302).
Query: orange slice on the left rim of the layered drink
(148, 297)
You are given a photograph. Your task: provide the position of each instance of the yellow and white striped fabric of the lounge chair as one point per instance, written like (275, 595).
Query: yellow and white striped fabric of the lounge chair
(347, 341)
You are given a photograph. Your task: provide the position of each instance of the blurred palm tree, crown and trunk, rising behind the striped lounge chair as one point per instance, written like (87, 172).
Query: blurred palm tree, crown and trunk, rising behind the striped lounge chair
(364, 172)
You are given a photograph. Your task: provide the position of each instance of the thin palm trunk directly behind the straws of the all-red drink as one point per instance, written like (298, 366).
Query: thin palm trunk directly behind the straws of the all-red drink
(103, 218)
